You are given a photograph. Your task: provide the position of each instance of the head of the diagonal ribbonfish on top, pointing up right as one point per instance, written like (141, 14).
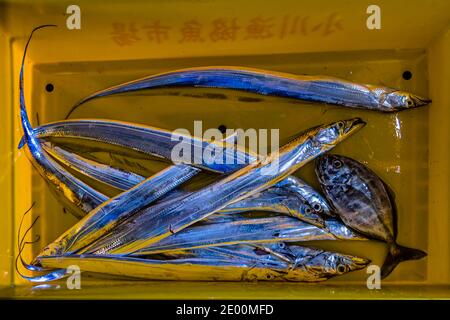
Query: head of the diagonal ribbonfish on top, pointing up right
(327, 136)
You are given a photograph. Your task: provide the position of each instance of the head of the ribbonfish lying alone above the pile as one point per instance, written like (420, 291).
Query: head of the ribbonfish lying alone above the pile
(401, 100)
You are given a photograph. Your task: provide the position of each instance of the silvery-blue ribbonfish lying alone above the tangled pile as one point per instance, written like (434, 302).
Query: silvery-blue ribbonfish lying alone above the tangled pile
(309, 88)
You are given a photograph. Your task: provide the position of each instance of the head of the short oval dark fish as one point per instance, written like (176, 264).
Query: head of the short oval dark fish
(333, 169)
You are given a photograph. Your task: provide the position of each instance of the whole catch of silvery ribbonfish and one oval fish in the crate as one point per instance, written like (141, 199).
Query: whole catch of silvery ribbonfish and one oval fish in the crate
(155, 229)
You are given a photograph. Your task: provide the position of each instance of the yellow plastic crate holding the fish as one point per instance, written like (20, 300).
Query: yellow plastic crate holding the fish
(123, 41)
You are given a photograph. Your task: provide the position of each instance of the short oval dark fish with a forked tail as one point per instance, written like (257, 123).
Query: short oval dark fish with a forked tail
(365, 203)
